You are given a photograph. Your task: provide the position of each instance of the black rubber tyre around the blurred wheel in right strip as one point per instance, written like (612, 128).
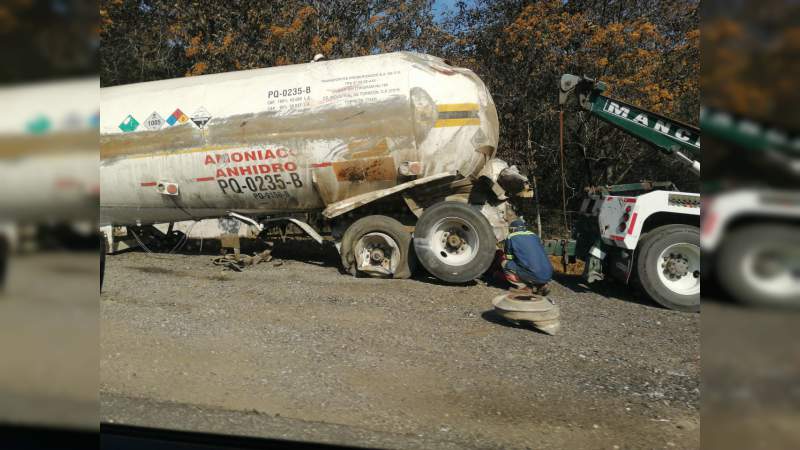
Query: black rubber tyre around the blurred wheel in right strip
(743, 243)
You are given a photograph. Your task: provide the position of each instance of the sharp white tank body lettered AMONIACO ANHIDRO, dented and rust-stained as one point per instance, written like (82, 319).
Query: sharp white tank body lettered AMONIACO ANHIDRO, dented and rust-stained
(288, 139)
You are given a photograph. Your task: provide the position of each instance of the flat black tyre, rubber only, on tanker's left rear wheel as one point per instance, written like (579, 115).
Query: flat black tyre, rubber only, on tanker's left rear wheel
(385, 225)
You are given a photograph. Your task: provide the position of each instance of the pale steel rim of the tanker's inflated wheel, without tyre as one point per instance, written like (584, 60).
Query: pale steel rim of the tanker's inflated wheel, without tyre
(454, 241)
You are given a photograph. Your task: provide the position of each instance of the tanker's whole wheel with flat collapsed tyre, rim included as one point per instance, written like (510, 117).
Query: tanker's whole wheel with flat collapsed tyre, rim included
(378, 246)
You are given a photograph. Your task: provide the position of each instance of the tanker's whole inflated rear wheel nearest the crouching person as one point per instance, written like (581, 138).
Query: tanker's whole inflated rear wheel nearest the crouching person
(454, 242)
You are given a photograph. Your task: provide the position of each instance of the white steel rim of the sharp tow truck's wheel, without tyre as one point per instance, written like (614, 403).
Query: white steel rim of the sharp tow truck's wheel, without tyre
(679, 268)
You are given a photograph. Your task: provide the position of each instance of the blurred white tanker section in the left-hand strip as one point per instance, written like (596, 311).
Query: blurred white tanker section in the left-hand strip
(48, 155)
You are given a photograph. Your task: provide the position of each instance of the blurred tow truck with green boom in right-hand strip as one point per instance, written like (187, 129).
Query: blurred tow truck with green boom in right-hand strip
(751, 228)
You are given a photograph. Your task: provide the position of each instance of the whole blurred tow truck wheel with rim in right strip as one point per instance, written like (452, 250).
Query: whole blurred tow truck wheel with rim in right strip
(757, 265)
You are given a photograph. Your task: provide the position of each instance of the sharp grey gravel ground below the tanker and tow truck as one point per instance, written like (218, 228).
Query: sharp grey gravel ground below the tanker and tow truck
(301, 351)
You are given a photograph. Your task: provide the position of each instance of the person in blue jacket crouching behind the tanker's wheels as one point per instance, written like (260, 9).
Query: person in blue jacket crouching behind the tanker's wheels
(525, 264)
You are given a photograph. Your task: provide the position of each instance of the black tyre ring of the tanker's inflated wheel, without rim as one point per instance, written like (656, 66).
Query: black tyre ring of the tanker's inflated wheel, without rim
(427, 255)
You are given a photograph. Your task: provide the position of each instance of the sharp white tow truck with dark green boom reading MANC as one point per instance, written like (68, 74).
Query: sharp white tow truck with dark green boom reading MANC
(648, 233)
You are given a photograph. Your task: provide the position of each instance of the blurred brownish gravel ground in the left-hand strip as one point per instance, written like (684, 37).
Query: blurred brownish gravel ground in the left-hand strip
(48, 341)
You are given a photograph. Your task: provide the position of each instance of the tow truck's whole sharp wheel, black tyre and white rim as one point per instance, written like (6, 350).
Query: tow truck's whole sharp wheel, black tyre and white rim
(668, 266)
